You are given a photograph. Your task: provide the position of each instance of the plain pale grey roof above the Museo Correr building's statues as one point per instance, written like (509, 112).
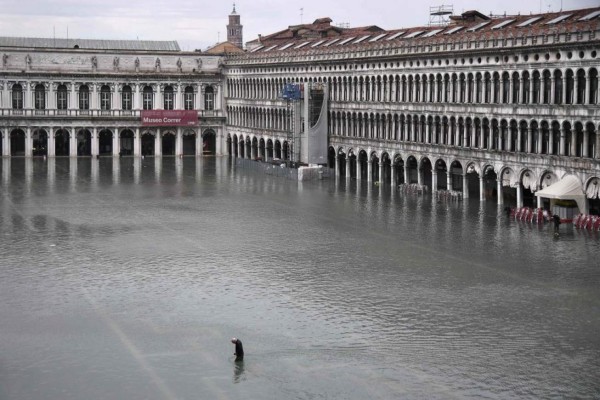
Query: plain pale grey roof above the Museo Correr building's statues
(90, 44)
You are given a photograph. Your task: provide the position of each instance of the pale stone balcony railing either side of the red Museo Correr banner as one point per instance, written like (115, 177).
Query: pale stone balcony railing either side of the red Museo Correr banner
(28, 112)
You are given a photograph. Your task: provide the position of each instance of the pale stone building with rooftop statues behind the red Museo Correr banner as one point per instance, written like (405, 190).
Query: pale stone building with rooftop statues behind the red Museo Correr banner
(74, 97)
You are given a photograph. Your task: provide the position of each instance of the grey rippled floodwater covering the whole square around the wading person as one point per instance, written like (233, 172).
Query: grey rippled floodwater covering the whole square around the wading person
(127, 278)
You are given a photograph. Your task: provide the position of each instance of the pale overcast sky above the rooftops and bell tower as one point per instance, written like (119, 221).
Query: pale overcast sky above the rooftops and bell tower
(197, 24)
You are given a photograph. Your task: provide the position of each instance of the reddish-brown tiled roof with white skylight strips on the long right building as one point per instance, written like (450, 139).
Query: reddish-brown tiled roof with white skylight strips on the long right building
(471, 24)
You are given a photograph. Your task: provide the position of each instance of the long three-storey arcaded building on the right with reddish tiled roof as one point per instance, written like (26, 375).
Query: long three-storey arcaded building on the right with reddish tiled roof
(491, 107)
